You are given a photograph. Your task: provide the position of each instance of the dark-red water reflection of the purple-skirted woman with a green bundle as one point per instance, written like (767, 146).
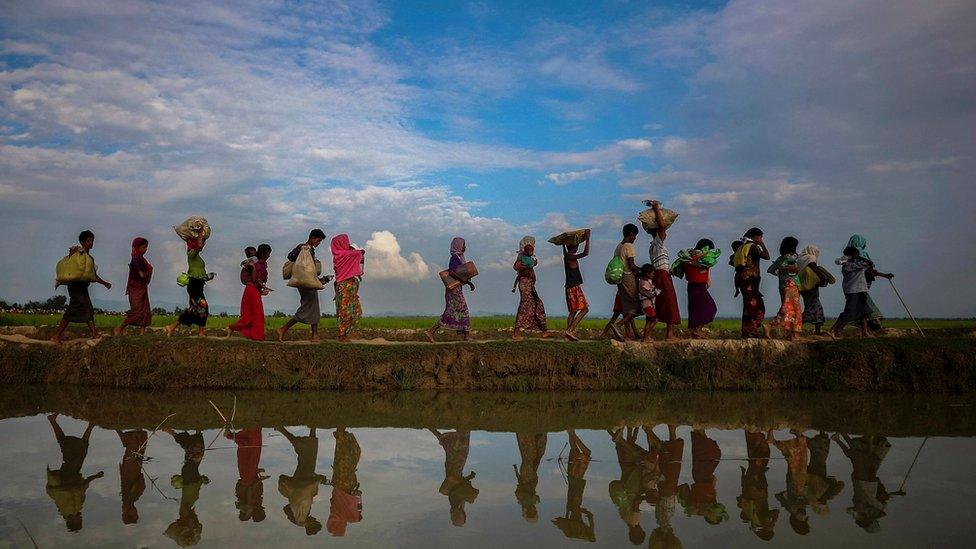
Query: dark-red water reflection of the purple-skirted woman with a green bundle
(700, 498)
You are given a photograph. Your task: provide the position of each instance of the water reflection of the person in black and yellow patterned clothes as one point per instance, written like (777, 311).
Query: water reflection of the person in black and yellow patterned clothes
(754, 501)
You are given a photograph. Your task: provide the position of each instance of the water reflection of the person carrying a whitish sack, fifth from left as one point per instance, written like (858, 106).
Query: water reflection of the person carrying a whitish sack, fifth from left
(302, 486)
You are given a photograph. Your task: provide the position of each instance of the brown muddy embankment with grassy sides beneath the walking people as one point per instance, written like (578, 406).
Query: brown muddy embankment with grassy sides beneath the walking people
(895, 364)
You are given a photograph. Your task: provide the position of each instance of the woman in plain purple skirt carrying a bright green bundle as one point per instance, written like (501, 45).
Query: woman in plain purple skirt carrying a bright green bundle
(694, 265)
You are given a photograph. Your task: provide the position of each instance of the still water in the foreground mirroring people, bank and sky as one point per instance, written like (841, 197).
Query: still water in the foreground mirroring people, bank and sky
(502, 471)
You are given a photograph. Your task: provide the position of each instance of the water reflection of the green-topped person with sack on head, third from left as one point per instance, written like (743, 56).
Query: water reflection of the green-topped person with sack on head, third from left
(186, 529)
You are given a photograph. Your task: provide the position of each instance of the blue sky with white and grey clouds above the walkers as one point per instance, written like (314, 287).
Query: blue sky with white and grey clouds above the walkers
(406, 124)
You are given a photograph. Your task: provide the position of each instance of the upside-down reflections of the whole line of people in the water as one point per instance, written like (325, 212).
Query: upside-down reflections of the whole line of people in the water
(649, 474)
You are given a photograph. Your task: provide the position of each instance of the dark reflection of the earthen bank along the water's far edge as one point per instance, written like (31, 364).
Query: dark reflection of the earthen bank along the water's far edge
(895, 415)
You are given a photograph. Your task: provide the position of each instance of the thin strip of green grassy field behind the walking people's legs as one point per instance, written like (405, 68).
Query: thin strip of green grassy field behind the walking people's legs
(423, 322)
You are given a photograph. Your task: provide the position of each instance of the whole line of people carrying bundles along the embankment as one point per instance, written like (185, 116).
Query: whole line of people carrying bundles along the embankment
(642, 290)
